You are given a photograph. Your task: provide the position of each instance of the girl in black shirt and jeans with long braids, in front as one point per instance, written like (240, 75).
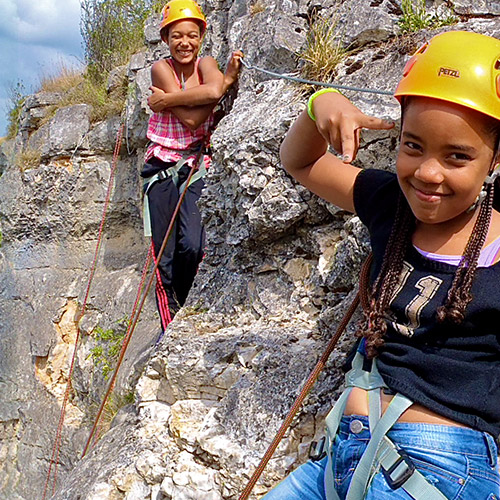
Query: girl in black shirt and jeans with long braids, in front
(421, 412)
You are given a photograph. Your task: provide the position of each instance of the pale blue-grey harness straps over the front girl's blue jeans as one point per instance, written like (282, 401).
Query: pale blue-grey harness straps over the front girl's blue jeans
(381, 454)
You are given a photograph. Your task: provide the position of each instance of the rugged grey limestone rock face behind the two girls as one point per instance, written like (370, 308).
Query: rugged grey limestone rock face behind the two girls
(279, 272)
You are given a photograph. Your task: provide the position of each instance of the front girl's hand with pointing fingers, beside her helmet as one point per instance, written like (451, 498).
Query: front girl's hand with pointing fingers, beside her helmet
(340, 122)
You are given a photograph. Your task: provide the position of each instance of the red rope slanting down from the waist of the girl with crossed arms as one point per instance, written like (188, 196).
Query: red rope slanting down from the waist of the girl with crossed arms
(133, 322)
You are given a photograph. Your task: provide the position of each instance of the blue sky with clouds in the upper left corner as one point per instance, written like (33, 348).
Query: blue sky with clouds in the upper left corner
(36, 37)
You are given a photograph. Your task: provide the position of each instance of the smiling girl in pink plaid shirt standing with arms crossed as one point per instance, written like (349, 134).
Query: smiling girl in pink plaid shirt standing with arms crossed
(185, 92)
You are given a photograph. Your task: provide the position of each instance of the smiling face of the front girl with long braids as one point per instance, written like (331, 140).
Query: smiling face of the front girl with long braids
(444, 158)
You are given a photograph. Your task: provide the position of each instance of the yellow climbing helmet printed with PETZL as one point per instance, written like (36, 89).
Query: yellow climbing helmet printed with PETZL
(457, 66)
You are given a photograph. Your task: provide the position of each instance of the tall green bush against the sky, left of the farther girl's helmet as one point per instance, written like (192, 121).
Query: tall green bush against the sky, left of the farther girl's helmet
(112, 30)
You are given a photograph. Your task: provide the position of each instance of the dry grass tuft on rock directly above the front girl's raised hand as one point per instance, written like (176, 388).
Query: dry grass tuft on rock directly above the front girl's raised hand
(323, 51)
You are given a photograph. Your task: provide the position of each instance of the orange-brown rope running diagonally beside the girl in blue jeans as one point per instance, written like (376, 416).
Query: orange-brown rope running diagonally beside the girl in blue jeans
(311, 380)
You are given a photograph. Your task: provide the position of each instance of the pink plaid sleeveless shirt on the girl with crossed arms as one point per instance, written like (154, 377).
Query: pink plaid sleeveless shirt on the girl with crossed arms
(170, 138)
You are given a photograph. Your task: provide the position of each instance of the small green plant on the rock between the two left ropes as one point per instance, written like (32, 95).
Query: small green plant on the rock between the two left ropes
(108, 345)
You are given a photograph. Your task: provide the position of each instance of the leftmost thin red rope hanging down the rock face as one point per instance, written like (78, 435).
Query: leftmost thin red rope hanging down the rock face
(54, 460)
